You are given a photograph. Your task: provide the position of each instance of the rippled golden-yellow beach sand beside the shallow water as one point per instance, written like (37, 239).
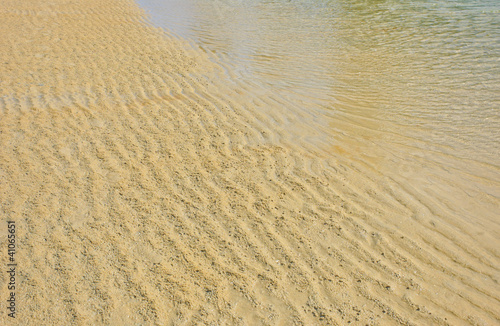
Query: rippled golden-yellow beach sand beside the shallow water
(149, 186)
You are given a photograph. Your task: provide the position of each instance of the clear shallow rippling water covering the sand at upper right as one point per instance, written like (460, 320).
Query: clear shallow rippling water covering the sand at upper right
(408, 89)
